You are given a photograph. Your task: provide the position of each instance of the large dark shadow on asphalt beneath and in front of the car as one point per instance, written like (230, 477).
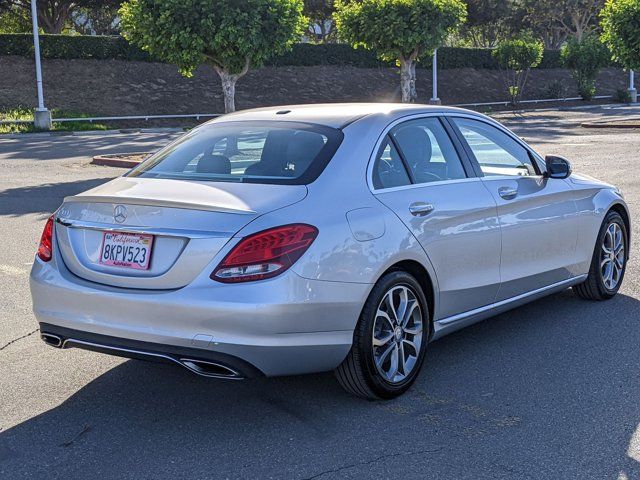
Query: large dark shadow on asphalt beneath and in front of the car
(549, 390)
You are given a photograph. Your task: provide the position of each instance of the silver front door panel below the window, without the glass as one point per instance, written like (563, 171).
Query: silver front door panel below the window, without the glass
(539, 232)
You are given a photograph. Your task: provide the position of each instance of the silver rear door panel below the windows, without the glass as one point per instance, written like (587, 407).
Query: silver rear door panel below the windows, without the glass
(460, 235)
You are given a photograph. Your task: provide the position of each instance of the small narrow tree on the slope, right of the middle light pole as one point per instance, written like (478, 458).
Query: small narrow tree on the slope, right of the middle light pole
(516, 58)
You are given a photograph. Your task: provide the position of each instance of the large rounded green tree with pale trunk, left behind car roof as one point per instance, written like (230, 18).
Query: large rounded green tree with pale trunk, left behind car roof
(231, 36)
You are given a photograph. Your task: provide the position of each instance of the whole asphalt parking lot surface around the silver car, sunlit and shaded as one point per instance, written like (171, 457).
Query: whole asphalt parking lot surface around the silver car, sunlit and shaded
(548, 391)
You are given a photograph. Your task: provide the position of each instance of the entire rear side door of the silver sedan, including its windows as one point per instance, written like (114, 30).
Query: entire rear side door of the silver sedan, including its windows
(453, 217)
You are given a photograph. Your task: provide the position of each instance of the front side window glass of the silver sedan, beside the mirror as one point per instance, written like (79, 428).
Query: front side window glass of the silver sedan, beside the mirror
(496, 152)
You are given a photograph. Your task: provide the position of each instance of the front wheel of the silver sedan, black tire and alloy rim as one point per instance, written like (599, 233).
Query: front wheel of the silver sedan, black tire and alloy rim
(598, 286)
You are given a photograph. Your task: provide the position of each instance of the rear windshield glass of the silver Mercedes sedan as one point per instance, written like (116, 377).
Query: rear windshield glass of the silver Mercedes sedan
(250, 152)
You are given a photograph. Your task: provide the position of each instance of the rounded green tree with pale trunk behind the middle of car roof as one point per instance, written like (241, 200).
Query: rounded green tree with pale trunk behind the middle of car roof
(400, 30)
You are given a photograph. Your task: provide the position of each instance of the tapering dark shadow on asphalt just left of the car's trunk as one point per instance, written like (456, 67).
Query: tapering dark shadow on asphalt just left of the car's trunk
(43, 198)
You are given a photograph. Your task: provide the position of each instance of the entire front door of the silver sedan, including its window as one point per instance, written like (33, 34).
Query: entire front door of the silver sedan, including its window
(538, 216)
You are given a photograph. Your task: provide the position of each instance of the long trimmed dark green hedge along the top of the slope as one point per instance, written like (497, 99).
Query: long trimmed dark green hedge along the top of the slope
(303, 54)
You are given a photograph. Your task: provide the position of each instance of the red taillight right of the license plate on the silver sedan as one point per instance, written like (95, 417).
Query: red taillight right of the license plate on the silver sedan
(265, 254)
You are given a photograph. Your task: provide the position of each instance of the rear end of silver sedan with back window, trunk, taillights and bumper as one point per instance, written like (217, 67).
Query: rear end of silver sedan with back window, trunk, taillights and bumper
(163, 264)
